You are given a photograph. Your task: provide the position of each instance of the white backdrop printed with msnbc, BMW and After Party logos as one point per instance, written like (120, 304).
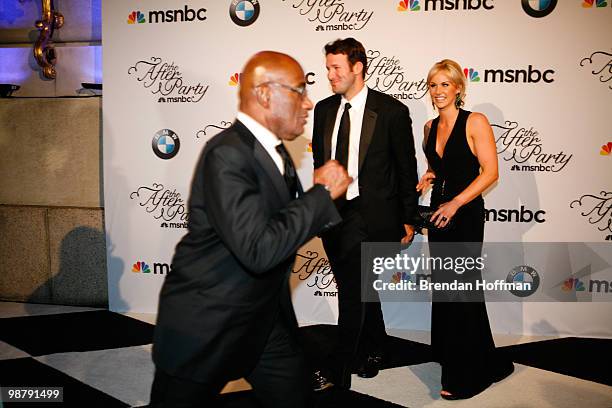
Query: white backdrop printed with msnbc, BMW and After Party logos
(540, 70)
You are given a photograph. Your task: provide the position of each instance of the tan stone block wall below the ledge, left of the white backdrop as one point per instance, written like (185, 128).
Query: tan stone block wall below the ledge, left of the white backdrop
(52, 243)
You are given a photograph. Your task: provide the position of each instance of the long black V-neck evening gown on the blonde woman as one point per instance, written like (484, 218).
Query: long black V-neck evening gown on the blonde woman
(460, 333)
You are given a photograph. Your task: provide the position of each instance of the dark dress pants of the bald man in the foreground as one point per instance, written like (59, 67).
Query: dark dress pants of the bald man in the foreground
(278, 379)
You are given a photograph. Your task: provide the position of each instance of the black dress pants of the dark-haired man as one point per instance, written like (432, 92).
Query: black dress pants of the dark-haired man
(361, 328)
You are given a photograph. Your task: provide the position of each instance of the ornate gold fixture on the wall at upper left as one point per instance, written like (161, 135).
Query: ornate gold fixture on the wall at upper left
(44, 52)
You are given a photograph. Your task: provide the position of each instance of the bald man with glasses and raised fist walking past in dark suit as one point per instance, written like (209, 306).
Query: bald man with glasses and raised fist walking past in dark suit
(225, 310)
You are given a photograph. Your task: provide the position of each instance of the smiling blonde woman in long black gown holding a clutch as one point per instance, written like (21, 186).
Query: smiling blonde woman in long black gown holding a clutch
(462, 163)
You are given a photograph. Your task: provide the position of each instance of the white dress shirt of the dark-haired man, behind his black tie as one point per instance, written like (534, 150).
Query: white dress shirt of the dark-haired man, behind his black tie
(356, 116)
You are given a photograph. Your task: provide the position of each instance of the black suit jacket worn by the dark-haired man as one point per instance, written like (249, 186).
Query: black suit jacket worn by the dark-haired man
(387, 162)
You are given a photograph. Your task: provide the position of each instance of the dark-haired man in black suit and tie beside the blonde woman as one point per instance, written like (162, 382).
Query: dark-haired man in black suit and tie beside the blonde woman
(369, 133)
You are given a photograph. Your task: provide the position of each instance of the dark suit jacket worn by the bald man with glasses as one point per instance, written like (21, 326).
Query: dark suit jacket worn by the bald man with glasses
(230, 273)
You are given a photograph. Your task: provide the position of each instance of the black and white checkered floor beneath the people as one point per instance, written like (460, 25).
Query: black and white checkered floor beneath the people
(103, 359)
